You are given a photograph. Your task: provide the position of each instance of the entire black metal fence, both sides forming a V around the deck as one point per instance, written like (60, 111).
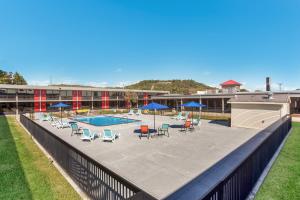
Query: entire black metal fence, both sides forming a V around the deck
(235, 183)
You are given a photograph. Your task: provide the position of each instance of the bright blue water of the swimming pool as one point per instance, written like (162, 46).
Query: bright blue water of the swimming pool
(104, 120)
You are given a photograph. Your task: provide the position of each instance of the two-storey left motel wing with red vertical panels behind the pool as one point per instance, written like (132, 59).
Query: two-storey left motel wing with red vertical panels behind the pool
(17, 99)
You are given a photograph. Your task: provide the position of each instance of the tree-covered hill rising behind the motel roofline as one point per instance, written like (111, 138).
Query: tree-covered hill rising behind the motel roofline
(174, 86)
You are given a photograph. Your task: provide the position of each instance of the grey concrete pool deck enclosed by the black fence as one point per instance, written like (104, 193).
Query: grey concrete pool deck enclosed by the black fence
(160, 165)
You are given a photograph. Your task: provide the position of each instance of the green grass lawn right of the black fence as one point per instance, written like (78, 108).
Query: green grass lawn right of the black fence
(283, 180)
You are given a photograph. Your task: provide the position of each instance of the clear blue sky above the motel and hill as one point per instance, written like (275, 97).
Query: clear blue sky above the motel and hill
(115, 42)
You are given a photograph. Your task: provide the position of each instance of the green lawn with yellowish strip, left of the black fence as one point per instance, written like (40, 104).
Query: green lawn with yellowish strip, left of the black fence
(25, 172)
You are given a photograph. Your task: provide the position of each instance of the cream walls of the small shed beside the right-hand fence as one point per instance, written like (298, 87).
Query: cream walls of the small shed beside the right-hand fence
(258, 116)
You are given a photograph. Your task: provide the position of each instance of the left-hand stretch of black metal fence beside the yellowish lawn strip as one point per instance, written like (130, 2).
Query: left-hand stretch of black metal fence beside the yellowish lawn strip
(94, 179)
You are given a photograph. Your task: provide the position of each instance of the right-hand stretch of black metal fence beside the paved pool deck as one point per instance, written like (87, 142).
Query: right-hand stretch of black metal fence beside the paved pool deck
(234, 177)
